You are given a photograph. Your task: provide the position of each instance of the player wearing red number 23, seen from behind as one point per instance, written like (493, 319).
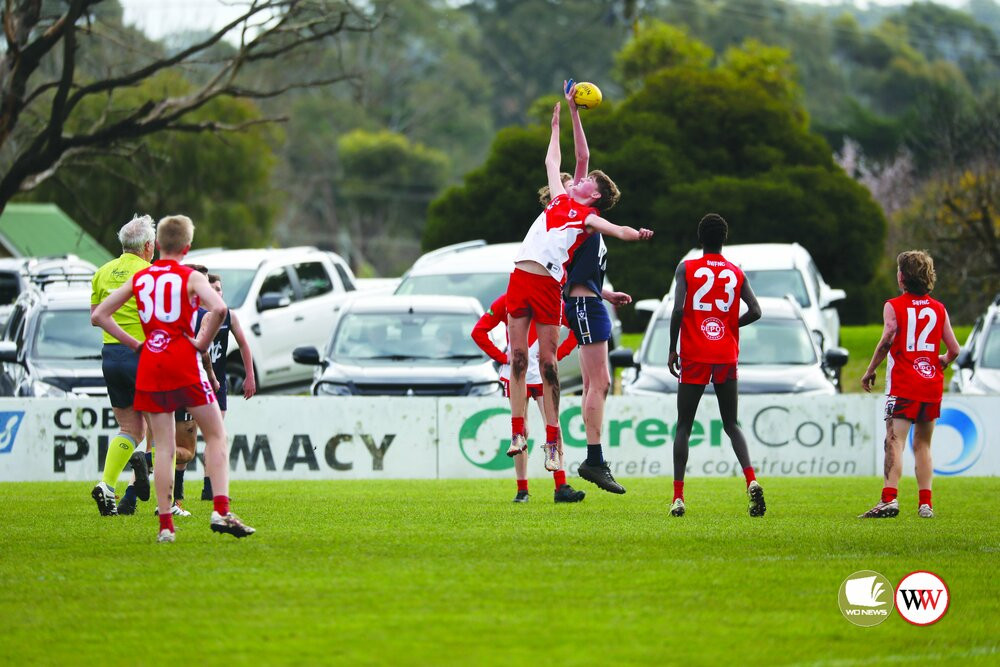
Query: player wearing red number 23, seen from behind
(706, 316)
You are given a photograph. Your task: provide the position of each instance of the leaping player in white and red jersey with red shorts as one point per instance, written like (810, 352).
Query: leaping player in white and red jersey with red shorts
(534, 293)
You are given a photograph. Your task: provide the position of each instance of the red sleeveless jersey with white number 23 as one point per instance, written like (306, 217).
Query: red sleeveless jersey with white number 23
(710, 331)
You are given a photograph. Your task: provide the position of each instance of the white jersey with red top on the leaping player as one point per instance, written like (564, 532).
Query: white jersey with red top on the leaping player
(555, 236)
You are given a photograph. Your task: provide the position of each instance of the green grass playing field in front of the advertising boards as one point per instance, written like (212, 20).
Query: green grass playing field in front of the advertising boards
(451, 572)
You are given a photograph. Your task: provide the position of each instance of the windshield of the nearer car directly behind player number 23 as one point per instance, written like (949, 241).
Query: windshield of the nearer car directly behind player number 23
(766, 341)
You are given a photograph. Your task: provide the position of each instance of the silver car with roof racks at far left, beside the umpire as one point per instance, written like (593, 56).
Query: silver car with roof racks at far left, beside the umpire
(48, 347)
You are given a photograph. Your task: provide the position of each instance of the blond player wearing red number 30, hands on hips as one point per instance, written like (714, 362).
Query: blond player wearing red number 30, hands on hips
(170, 375)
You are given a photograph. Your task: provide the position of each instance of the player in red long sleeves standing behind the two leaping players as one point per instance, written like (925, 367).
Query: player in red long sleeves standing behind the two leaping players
(496, 315)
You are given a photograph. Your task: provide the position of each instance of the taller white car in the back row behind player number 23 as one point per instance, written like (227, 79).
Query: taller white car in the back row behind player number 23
(780, 269)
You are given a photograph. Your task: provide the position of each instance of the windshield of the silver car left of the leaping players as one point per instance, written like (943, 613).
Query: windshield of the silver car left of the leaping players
(405, 336)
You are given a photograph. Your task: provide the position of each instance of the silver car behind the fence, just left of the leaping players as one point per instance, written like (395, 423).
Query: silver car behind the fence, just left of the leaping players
(403, 346)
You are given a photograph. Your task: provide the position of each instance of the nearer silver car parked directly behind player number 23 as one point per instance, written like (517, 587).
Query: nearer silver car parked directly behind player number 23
(777, 355)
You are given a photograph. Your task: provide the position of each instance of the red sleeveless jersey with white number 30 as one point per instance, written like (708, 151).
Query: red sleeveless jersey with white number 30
(168, 359)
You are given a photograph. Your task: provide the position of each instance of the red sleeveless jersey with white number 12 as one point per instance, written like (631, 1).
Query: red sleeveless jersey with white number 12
(913, 369)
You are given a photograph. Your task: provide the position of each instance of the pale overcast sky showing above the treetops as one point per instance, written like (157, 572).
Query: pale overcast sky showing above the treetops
(162, 17)
